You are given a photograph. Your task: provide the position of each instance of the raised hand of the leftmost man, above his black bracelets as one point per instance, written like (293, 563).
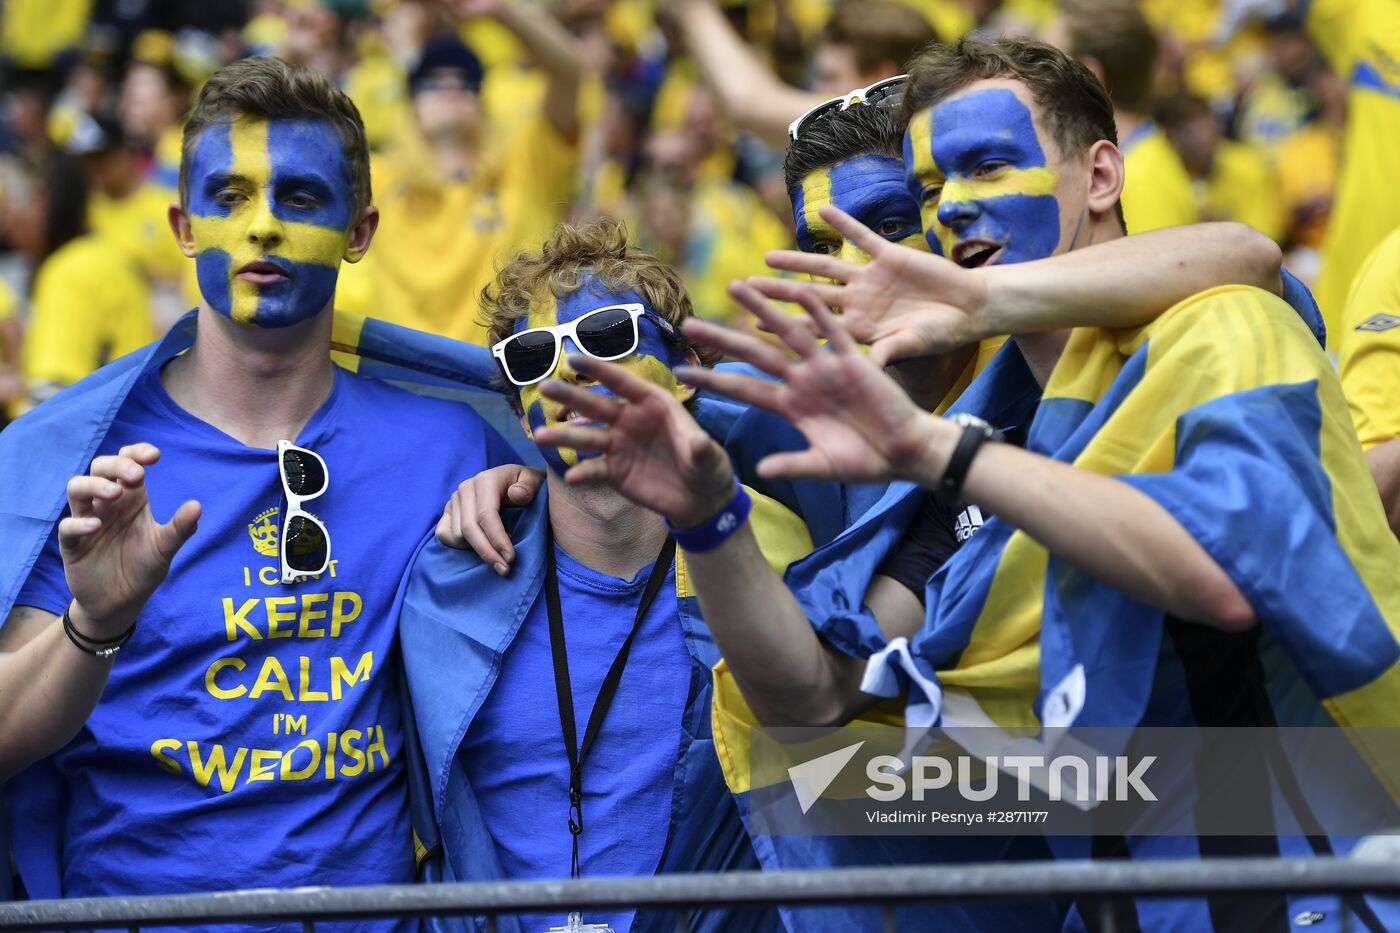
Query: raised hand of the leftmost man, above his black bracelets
(114, 553)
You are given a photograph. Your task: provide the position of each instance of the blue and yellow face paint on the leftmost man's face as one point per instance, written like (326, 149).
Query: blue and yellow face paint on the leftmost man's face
(271, 209)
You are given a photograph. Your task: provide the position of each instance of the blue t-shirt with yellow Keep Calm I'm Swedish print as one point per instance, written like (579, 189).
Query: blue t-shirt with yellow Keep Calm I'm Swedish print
(250, 735)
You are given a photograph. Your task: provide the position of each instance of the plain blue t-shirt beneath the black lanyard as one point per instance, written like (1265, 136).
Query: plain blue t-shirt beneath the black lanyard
(514, 750)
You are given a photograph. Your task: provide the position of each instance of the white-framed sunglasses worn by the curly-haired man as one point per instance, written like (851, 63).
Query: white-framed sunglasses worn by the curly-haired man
(604, 334)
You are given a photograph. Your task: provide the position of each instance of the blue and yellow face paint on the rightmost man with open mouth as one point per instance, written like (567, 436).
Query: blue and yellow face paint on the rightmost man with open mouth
(978, 167)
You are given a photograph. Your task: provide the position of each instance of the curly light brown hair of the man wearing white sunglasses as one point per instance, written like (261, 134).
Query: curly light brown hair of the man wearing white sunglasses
(558, 270)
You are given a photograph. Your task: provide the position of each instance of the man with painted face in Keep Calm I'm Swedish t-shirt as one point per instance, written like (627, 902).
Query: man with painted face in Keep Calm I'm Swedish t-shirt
(255, 705)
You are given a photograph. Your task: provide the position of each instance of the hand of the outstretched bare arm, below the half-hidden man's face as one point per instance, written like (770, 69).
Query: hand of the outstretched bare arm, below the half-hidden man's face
(905, 303)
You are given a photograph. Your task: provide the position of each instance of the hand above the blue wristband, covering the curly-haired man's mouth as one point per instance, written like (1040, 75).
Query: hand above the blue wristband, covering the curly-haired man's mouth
(653, 452)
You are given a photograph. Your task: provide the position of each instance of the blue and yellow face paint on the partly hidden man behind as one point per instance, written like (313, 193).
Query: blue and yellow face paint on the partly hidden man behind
(870, 188)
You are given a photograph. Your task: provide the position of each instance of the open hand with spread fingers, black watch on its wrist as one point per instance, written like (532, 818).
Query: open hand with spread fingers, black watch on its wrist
(860, 425)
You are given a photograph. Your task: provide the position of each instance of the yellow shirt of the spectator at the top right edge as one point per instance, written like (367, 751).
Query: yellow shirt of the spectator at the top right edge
(1361, 39)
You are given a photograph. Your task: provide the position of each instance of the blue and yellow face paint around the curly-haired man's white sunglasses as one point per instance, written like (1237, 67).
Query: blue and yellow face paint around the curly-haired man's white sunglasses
(654, 359)
